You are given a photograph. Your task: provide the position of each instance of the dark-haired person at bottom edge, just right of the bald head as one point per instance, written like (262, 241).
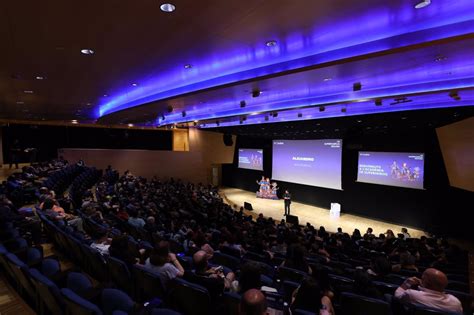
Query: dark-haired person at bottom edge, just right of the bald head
(309, 297)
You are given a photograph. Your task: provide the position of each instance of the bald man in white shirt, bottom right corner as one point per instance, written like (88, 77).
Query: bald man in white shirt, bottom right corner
(430, 292)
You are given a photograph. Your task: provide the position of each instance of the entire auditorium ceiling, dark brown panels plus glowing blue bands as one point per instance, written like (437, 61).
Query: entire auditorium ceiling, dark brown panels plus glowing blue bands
(201, 61)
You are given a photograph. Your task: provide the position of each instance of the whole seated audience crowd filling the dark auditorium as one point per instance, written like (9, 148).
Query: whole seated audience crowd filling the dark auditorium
(148, 217)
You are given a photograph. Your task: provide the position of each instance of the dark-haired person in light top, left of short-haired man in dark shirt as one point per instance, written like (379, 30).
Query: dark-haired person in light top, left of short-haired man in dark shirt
(164, 264)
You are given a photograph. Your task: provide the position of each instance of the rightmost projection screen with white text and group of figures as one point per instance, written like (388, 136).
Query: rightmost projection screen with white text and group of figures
(391, 168)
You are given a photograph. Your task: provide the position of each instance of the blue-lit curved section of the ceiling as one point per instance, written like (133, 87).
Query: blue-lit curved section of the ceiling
(391, 50)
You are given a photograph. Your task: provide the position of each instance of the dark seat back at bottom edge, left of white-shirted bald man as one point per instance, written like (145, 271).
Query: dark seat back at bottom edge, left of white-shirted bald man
(360, 305)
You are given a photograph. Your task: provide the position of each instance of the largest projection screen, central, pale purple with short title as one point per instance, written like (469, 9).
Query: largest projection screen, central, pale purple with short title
(308, 162)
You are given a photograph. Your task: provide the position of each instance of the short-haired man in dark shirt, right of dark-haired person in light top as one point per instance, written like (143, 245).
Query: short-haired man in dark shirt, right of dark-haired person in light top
(211, 278)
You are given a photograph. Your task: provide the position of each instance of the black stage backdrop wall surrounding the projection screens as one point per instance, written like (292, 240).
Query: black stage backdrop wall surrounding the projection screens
(438, 208)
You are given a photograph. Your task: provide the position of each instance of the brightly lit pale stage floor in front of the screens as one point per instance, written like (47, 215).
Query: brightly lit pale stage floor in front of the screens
(314, 215)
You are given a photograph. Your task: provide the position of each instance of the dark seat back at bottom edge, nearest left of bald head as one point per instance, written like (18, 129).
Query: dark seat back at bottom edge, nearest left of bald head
(189, 298)
